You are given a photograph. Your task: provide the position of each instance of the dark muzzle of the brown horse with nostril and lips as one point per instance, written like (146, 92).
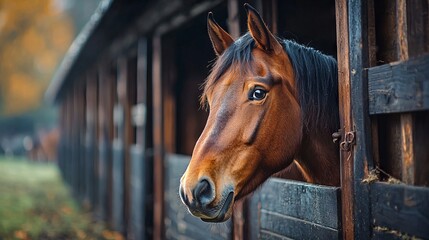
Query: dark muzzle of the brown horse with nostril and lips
(203, 202)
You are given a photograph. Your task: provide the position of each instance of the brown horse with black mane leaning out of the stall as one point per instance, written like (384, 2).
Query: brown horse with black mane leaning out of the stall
(273, 106)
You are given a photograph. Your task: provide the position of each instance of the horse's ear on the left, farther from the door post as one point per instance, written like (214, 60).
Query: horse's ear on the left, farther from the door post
(221, 40)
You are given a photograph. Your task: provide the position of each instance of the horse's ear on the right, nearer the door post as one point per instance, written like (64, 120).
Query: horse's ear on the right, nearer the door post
(260, 32)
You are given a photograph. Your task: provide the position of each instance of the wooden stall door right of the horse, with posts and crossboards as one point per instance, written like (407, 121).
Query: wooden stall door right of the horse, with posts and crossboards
(378, 119)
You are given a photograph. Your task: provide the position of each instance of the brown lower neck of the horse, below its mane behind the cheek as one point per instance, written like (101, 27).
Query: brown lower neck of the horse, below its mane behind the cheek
(318, 159)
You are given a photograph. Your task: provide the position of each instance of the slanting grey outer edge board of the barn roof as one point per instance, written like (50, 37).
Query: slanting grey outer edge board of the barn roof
(108, 21)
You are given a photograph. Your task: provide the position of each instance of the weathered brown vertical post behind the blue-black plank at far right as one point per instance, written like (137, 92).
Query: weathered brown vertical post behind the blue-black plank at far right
(413, 37)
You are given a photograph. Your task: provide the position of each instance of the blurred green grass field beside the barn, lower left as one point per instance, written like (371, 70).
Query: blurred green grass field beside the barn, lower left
(35, 204)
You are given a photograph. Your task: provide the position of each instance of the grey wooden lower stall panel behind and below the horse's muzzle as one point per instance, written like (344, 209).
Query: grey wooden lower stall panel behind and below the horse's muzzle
(179, 223)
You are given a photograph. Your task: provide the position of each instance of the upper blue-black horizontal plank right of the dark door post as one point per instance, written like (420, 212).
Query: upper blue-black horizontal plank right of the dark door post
(399, 86)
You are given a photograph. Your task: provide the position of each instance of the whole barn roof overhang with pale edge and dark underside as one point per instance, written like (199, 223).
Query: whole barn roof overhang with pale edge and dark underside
(115, 25)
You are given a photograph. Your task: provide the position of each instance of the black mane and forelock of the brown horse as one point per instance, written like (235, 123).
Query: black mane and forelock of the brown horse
(316, 78)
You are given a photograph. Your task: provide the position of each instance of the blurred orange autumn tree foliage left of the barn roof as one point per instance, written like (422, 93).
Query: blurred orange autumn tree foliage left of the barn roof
(34, 35)
